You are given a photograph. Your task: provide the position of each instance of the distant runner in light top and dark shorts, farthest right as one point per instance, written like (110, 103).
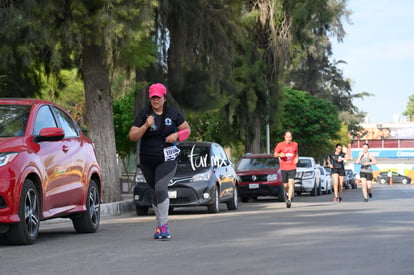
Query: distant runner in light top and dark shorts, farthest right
(366, 159)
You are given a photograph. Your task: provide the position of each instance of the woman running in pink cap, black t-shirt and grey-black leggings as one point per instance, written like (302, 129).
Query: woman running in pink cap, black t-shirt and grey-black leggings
(158, 127)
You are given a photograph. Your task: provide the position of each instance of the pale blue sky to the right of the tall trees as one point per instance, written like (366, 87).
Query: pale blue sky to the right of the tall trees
(379, 53)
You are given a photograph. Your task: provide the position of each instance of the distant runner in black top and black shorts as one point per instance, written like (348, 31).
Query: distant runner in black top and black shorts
(336, 163)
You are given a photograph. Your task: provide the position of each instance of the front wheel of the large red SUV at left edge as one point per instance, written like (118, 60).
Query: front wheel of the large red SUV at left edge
(27, 230)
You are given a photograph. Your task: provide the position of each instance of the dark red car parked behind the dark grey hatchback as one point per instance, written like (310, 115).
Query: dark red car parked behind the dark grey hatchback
(259, 176)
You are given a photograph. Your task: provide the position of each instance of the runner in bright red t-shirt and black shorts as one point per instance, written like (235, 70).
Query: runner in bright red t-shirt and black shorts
(287, 152)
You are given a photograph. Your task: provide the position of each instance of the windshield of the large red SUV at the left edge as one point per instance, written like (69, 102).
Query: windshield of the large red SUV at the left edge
(13, 120)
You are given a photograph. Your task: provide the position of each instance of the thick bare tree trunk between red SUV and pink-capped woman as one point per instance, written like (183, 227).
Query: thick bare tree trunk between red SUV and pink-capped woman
(100, 118)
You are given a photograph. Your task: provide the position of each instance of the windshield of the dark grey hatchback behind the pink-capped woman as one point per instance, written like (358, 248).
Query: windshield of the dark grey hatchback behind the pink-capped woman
(193, 158)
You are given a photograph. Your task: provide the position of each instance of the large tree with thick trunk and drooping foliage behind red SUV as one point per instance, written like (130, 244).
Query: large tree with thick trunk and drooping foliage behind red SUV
(46, 36)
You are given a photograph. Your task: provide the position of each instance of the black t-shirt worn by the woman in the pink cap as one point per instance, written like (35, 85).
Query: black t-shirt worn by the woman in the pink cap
(153, 142)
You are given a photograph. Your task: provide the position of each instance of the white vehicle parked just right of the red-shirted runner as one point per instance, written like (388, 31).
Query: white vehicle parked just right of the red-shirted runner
(308, 178)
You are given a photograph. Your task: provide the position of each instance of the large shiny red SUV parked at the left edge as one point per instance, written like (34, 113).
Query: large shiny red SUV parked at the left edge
(48, 169)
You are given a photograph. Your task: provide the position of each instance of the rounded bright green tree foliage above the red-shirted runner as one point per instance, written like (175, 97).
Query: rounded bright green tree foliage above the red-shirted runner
(314, 123)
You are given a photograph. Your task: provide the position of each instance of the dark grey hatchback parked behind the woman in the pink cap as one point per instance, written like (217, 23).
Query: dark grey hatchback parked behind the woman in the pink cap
(205, 177)
